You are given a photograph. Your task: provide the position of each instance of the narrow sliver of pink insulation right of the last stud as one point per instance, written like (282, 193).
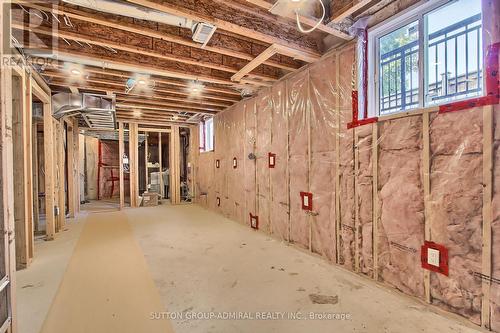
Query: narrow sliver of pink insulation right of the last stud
(495, 227)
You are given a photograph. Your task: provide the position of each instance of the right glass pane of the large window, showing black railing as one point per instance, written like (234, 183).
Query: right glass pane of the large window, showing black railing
(454, 52)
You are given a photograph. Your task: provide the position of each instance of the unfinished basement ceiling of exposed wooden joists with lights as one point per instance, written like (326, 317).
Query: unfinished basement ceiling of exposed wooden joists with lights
(153, 67)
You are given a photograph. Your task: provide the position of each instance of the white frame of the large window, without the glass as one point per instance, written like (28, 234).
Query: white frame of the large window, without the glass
(411, 14)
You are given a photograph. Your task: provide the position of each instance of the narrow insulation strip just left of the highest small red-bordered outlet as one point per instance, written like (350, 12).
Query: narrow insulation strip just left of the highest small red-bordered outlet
(263, 144)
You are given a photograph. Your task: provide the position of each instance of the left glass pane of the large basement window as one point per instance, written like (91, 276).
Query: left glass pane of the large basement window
(398, 69)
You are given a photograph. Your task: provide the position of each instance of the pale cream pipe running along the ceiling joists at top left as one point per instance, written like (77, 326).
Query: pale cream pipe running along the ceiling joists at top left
(125, 9)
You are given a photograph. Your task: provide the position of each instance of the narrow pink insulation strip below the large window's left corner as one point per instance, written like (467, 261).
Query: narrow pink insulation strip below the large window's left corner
(364, 195)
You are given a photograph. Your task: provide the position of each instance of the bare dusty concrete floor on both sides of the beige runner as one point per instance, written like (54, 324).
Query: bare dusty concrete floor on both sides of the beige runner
(203, 264)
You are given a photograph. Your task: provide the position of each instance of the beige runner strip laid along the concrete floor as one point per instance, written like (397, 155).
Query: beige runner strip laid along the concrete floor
(107, 287)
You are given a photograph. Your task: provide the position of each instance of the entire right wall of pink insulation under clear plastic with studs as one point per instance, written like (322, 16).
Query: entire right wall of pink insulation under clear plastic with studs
(379, 190)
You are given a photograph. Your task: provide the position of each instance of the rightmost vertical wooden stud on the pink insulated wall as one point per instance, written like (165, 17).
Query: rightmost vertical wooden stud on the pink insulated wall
(486, 265)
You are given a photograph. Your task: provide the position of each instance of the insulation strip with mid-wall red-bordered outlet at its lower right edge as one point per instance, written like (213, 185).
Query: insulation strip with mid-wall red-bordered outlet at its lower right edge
(298, 106)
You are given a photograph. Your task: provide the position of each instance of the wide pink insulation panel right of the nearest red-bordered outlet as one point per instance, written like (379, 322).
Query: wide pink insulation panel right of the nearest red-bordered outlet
(456, 209)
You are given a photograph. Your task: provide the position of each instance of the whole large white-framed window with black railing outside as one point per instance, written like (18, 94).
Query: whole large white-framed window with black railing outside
(447, 36)
